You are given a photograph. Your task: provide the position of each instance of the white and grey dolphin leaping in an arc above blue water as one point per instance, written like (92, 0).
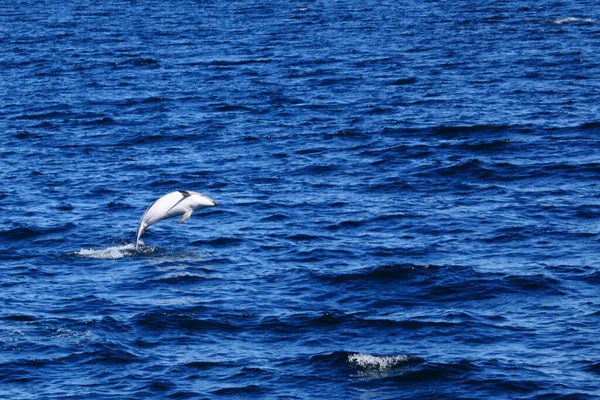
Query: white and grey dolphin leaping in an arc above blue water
(174, 204)
